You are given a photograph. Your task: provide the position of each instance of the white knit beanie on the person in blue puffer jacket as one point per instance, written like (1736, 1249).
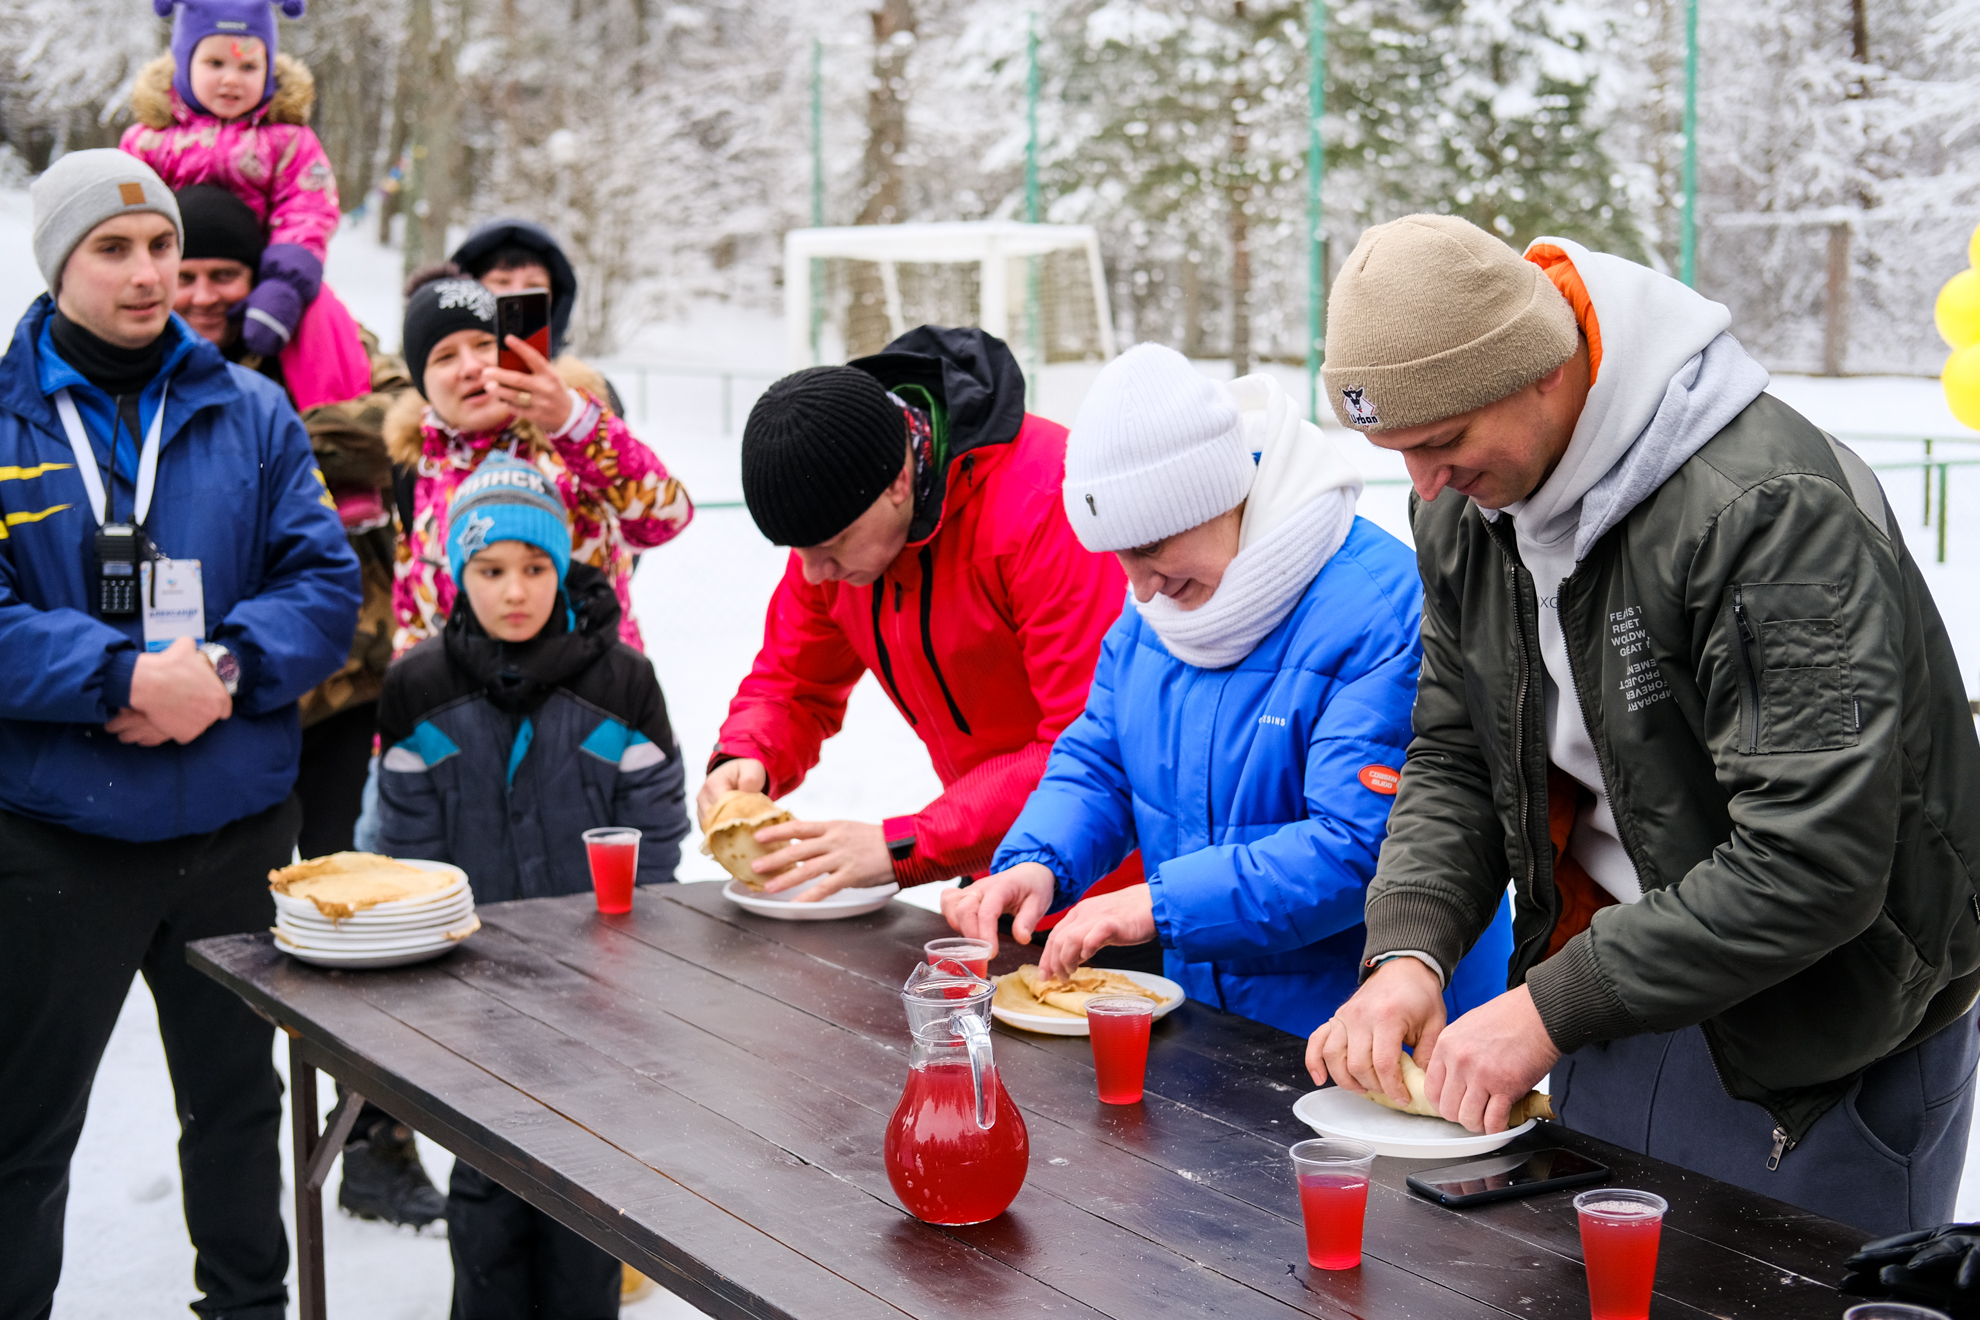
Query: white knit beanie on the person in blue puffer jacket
(1157, 448)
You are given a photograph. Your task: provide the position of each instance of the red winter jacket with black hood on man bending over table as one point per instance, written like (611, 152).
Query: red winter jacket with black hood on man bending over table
(985, 632)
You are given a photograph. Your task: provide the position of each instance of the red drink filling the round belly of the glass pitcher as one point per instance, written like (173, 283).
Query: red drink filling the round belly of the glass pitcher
(941, 1165)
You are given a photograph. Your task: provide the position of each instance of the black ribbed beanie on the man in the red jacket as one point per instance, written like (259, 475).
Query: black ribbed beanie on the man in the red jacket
(821, 446)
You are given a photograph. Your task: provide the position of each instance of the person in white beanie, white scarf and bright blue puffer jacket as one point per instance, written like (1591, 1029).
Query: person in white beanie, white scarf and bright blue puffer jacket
(1248, 715)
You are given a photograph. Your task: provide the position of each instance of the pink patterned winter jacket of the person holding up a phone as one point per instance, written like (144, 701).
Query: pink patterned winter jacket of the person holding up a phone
(619, 494)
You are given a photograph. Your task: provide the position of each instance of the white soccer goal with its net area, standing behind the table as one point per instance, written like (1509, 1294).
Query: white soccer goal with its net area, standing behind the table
(1039, 288)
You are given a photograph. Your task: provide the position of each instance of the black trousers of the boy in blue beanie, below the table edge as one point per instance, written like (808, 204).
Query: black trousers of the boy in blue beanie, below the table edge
(516, 1264)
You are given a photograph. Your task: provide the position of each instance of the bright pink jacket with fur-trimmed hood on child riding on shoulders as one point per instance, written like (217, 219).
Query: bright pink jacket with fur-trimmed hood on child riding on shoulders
(270, 159)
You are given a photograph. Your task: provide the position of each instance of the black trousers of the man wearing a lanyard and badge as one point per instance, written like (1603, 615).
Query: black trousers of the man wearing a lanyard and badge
(78, 917)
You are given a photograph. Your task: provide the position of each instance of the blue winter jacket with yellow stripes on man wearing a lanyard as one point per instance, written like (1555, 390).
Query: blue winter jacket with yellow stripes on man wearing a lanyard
(239, 490)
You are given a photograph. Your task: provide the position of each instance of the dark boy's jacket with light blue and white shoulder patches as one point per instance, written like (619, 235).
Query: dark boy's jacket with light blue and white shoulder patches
(498, 757)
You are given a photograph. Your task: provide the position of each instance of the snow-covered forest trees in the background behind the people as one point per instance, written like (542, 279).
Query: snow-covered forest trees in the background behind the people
(670, 140)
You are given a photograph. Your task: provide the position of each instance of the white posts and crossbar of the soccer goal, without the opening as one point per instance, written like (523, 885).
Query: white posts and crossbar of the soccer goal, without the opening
(989, 244)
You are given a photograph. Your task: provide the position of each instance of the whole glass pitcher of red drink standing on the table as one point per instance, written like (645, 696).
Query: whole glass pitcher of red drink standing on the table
(957, 1149)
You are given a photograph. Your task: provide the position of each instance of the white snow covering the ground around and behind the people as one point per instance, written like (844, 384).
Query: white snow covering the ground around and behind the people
(702, 603)
